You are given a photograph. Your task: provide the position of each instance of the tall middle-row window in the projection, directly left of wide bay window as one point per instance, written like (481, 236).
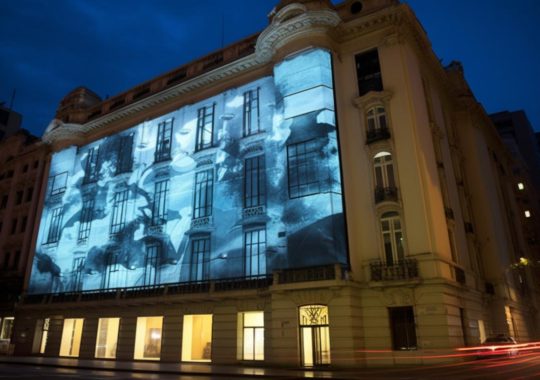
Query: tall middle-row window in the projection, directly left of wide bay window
(254, 182)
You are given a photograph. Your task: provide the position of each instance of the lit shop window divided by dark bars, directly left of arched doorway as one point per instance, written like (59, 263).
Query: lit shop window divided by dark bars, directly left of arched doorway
(251, 335)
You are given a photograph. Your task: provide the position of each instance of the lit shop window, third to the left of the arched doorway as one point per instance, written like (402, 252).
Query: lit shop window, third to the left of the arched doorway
(148, 338)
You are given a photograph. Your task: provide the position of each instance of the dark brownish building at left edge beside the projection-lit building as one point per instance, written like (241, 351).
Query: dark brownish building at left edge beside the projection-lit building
(22, 164)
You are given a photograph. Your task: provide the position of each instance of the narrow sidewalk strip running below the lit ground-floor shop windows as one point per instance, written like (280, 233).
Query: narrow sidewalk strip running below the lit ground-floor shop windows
(194, 369)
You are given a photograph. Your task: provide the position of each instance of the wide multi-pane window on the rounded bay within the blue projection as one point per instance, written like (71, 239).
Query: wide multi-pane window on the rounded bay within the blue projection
(302, 163)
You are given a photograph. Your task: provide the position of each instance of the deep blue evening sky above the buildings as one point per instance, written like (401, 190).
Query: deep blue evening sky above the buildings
(49, 47)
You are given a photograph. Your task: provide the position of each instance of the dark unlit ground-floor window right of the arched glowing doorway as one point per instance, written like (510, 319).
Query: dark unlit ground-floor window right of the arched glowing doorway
(402, 327)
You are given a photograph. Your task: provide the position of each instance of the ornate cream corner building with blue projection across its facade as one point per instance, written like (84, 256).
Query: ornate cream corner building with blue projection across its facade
(312, 195)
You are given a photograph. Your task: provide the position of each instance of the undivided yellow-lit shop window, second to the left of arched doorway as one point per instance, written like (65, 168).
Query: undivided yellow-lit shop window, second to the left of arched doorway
(197, 338)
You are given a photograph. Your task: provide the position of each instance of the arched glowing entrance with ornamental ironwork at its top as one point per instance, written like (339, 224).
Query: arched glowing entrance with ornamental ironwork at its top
(314, 335)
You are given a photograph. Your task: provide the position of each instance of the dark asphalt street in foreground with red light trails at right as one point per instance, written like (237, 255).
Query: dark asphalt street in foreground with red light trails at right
(524, 367)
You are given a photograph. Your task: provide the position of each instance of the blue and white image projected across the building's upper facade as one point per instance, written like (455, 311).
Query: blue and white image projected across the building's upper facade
(237, 185)
